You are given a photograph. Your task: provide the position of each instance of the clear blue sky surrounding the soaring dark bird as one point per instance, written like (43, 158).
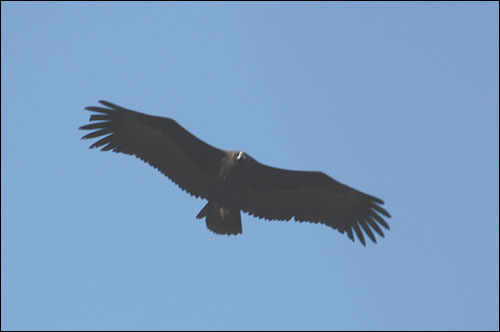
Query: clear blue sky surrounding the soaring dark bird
(399, 100)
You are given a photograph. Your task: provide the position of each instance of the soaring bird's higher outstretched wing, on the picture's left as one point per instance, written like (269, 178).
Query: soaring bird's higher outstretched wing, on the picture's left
(161, 142)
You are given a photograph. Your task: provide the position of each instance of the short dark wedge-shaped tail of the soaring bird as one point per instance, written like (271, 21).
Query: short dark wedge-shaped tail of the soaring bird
(221, 220)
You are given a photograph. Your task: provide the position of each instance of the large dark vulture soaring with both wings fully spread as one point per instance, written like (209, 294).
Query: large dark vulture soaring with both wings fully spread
(232, 181)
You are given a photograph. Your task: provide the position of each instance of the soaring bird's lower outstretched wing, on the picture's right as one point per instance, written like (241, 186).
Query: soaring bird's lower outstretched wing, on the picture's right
(279, 194)
